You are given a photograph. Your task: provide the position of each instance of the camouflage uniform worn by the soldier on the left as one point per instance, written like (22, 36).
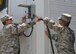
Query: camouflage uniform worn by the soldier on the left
(9, 38)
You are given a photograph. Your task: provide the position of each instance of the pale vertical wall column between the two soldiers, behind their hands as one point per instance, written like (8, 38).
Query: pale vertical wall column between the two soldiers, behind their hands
(40, 44)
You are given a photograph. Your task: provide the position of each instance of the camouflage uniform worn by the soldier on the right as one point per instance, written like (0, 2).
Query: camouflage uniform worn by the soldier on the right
(64, 38)
